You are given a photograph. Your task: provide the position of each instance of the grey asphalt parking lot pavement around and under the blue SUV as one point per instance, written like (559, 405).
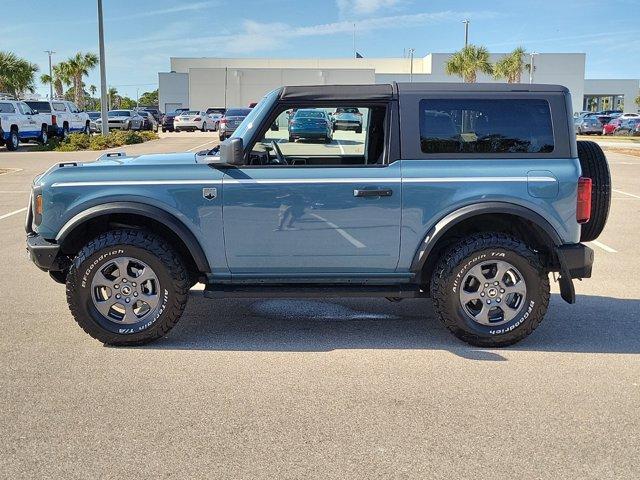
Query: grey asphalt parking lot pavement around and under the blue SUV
(310, 388)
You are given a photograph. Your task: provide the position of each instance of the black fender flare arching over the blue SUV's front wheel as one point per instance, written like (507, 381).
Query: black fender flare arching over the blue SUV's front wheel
(145, 210)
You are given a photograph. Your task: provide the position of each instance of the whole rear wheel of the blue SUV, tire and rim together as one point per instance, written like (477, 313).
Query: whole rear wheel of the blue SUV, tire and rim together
(490, 290)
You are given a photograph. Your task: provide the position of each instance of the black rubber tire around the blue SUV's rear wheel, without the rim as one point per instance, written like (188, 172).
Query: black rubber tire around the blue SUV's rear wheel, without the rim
(479, 248)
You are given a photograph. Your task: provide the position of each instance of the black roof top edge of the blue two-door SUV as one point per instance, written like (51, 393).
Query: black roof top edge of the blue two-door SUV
(386, 91)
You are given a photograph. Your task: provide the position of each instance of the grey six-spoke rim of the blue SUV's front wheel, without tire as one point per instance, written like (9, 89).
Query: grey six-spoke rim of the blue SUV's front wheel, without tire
(125, 290)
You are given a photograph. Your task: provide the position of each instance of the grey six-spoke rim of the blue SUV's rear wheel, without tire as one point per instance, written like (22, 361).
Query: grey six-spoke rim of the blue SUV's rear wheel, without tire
(493, 292)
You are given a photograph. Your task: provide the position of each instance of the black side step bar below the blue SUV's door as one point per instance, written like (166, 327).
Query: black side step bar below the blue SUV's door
(312, 291)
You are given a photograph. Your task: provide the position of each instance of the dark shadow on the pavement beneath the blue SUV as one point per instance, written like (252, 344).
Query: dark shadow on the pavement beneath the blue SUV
(594, 324)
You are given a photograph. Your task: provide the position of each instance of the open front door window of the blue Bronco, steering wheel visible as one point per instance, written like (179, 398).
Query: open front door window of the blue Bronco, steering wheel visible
(323, 136)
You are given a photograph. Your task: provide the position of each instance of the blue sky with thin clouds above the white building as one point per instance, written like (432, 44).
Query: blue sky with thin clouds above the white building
(141, 35)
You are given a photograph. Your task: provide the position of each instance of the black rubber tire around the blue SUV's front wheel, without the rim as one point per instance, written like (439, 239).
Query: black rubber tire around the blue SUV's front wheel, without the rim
(147, 247)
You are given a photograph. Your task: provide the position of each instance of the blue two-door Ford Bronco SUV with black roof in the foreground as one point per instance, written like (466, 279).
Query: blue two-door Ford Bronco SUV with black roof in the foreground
(469, 194)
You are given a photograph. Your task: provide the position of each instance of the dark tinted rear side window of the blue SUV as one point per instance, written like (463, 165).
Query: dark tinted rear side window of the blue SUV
(490, 126)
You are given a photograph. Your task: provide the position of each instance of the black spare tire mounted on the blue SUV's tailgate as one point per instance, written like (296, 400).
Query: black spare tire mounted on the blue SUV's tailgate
(594, 166)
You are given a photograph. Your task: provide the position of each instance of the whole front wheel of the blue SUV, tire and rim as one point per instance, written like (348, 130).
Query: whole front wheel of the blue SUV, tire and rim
(127, 287)
